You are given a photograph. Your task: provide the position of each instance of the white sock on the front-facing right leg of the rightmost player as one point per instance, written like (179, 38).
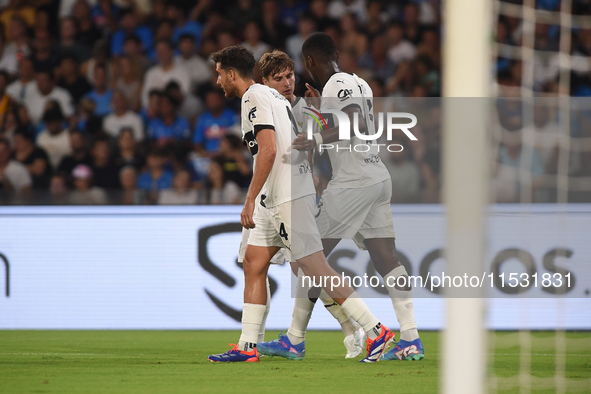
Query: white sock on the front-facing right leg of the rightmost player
(403, 306)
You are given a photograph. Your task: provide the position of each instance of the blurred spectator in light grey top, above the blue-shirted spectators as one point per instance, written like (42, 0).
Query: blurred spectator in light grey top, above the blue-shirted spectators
(165, 71)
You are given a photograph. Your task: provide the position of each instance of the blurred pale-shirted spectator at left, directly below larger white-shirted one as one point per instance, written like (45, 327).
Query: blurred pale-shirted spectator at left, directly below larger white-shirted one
(54, 139)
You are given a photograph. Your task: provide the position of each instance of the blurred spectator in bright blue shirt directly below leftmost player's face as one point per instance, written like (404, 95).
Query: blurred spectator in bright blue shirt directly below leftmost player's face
(213, 124)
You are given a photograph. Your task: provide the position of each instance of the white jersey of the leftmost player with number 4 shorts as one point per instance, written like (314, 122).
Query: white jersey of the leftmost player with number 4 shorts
(291, 175)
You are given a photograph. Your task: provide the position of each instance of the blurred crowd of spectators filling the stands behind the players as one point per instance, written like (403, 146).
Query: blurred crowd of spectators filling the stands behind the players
(116, 102)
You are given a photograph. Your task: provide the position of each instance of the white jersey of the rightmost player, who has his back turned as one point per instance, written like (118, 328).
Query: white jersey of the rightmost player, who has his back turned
(352, 169)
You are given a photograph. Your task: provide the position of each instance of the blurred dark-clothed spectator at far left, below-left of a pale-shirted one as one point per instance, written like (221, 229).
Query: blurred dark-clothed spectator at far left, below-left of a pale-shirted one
(35, 159)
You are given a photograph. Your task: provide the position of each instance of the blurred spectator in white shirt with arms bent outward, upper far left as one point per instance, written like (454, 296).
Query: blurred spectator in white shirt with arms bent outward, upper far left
(45, 91)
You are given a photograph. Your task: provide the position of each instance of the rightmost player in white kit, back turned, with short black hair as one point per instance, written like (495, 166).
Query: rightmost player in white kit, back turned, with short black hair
(356, 202)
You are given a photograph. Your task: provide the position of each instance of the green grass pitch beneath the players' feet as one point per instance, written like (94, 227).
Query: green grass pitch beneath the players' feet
(176, 361)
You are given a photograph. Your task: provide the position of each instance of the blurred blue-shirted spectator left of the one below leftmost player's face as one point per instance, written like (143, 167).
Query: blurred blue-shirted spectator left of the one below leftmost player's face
(168, 126)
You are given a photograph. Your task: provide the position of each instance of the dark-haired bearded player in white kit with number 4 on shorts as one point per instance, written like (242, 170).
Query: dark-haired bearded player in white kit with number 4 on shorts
(285, 215)
